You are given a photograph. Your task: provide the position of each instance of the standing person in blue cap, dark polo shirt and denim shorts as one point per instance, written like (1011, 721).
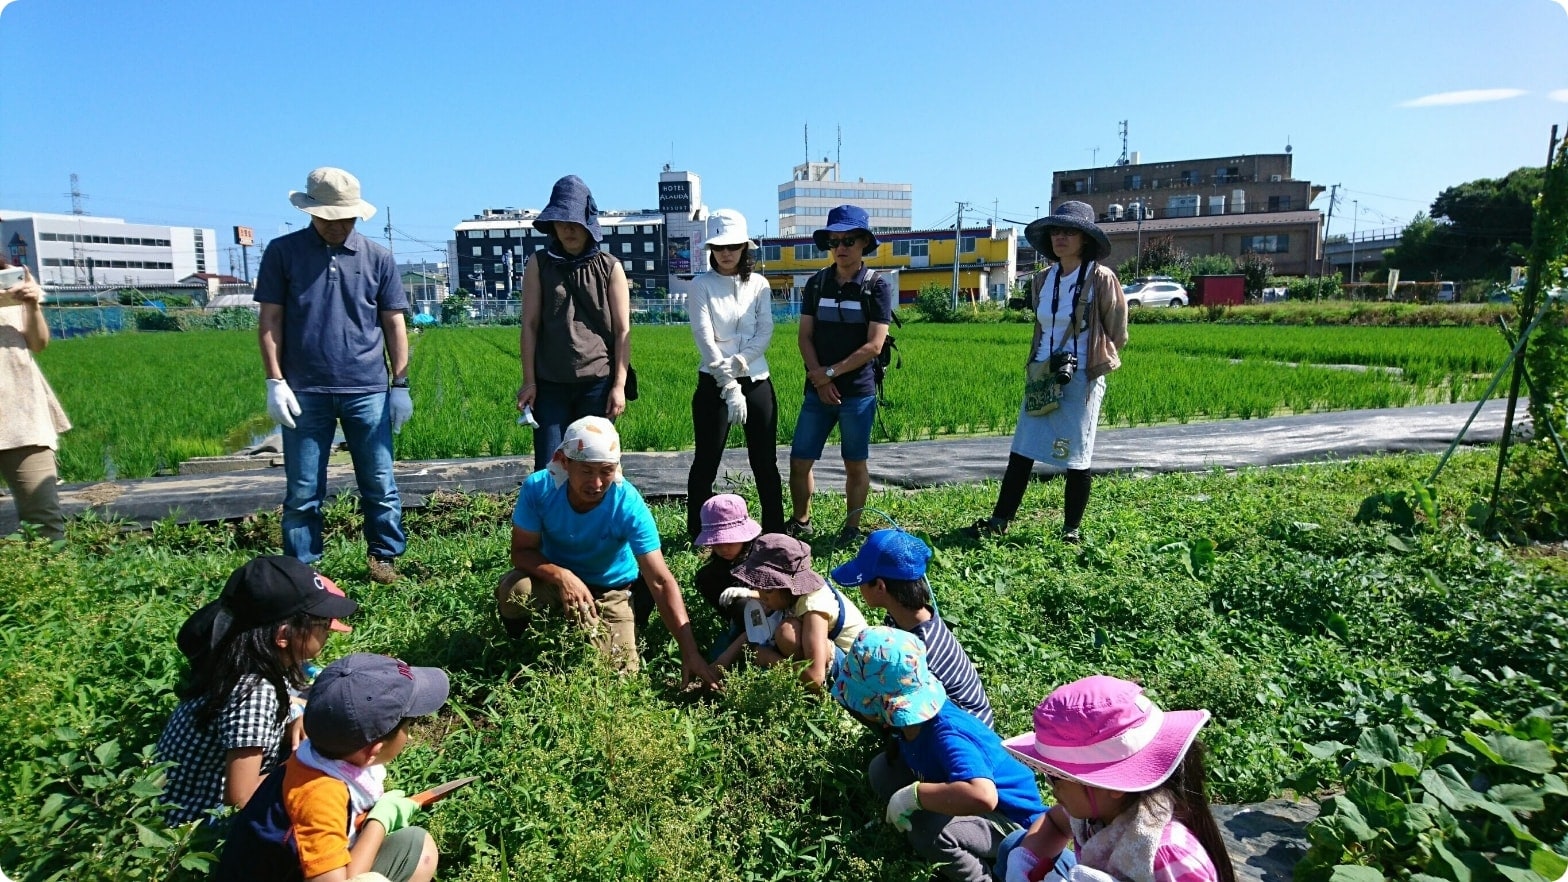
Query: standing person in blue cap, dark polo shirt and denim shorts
(843, 326)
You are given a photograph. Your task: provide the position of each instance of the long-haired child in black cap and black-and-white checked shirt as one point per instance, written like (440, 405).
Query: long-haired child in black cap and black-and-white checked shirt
(247, 651)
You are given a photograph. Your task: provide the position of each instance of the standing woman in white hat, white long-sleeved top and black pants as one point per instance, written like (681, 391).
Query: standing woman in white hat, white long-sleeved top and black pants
(733, 324)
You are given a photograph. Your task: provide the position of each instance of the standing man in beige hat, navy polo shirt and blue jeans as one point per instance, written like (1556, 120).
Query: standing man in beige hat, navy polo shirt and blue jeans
(332, 319)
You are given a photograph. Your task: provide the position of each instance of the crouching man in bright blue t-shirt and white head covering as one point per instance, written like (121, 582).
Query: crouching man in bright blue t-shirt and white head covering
(584, 542)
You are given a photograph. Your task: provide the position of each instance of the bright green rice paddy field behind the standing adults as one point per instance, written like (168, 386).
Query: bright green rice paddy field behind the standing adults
(142, 404)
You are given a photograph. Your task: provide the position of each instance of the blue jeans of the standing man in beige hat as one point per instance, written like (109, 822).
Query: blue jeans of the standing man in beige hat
(368, 428)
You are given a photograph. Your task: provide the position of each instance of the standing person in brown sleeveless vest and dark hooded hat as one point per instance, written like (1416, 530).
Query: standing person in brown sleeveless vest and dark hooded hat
(576, 323)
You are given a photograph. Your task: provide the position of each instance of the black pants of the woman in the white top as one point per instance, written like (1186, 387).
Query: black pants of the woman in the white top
(711, 428)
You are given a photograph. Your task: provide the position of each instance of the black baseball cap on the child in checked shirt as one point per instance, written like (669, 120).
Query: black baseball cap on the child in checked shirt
(266, 591)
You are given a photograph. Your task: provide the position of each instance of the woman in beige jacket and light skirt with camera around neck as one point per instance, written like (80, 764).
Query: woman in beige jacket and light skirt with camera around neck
(1078, 324)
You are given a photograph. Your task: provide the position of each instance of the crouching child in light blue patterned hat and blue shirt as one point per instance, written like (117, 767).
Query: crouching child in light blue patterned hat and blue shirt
(962, 793)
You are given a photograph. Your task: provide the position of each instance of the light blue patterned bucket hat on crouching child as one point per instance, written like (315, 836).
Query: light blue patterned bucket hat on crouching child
(885, 677)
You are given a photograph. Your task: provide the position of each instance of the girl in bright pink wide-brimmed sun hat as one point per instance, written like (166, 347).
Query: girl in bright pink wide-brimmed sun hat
(1130, 790)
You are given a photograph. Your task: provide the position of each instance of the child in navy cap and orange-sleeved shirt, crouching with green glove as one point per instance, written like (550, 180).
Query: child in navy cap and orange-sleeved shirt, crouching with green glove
(305, 820)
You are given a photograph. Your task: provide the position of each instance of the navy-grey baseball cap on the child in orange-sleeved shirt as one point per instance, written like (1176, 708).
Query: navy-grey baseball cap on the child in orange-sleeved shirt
(363, 698)
